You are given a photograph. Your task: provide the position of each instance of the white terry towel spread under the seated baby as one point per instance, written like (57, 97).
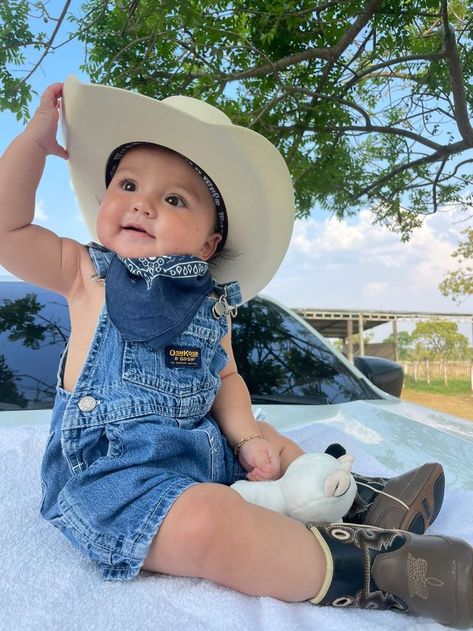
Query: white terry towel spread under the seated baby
(47, 585)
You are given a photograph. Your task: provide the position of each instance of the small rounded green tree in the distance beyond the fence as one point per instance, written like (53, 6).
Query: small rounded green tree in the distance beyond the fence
(439, 339)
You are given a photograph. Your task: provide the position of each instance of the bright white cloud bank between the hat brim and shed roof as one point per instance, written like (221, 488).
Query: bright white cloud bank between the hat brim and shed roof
(357, 264)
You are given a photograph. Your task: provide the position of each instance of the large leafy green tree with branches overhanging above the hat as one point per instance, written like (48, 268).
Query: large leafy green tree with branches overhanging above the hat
(368, 100)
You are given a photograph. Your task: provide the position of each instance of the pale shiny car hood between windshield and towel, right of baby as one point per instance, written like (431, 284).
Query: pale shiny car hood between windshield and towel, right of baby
(401, 435)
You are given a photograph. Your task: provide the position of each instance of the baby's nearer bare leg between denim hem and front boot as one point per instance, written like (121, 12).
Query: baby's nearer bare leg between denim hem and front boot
(211, 532)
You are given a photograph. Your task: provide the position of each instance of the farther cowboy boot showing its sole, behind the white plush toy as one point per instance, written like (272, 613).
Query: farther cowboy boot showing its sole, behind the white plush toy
(410, 501)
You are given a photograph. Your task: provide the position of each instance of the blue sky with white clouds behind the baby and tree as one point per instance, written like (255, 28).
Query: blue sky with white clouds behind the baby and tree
(330, 264)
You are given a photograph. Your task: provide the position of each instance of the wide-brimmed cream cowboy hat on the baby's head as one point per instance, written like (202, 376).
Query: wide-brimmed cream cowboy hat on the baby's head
(248, 170)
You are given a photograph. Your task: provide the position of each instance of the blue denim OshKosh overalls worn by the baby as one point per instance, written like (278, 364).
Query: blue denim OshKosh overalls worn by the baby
(133, 435)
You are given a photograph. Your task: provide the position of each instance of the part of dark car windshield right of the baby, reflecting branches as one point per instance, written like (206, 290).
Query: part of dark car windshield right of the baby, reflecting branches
(282, 361)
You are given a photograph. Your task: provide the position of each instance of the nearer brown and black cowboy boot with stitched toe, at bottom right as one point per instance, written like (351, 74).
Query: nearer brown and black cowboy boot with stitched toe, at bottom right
(367, 567)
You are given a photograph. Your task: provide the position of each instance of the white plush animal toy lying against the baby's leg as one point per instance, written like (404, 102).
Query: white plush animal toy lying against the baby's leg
(316, 487)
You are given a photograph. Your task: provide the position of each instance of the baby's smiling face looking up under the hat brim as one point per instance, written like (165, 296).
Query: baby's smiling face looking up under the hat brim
(156, 204)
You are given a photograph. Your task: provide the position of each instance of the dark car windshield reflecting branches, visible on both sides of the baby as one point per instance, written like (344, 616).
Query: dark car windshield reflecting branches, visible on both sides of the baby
(280, 359)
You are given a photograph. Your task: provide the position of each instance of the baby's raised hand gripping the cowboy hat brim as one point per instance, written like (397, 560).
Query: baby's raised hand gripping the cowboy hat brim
(43, 125)
